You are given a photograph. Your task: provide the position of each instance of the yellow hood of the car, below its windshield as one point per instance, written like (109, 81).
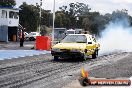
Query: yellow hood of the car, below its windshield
(70, 46)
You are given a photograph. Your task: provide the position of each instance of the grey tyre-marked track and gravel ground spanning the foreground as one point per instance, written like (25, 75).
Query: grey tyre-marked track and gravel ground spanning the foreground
(40, 71)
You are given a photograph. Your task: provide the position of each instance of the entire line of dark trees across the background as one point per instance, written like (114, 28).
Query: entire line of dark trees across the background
(74, 15)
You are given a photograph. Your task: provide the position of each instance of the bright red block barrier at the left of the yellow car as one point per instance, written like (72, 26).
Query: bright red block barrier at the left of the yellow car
(43, 43)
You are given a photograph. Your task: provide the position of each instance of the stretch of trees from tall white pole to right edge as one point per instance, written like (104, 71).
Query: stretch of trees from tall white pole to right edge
(79, 16)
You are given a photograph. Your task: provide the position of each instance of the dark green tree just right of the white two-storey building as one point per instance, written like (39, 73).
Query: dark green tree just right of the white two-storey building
(29, 17)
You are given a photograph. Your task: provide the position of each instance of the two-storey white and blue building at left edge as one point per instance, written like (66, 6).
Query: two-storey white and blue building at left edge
(9, 22)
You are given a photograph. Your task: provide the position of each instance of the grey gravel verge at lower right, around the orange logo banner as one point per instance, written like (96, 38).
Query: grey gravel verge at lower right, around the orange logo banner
(116, 67)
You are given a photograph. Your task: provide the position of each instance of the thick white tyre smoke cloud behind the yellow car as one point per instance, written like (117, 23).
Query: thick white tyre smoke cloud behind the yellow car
(116, 37)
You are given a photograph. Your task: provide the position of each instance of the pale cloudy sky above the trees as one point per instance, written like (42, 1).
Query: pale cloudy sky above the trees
(102, 6)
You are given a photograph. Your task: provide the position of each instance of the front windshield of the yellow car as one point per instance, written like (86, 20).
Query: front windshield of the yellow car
(75, 38)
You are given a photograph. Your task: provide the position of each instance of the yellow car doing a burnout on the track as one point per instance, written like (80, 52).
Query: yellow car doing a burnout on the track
(76, 46)
